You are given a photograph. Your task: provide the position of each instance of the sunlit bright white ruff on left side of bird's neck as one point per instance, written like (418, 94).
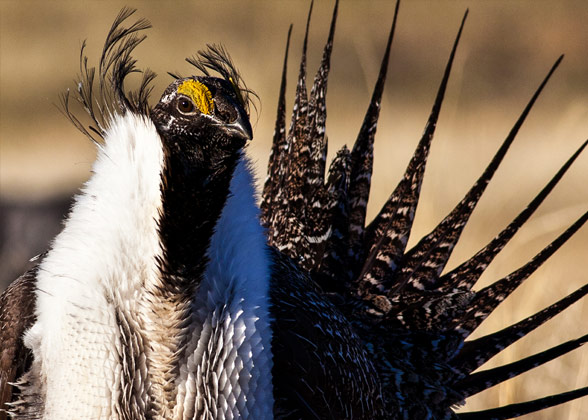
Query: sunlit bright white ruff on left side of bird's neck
(97, 263)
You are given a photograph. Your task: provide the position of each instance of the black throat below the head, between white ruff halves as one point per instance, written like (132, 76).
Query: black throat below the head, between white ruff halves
(193, 197)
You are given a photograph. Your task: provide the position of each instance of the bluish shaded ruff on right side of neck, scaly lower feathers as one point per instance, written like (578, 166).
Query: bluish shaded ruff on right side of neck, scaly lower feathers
(229, 359)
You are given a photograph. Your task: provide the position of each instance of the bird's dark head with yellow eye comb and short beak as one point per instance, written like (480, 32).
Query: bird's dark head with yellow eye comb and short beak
(202, 118)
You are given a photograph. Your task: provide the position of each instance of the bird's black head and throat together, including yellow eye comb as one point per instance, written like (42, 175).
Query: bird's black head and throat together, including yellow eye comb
(201, 149)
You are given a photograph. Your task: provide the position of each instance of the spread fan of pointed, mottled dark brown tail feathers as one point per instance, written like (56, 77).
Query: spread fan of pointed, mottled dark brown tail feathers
(414, 319)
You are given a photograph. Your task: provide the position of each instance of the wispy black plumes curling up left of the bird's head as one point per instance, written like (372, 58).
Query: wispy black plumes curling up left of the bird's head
(101, 102)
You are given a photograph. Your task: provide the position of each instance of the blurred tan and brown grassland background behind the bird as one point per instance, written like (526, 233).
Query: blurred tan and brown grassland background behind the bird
(506, 49)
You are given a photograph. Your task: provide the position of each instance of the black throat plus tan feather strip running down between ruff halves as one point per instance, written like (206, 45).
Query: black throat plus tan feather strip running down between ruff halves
(194, 190)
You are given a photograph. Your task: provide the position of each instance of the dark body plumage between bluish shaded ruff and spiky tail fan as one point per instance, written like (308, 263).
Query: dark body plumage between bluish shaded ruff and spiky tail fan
(321, 368)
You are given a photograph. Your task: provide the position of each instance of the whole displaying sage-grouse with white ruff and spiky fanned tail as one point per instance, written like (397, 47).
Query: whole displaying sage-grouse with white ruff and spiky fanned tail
(170, 294)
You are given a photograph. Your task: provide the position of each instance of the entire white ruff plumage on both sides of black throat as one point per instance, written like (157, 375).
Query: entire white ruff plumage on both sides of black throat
(104, 264)
